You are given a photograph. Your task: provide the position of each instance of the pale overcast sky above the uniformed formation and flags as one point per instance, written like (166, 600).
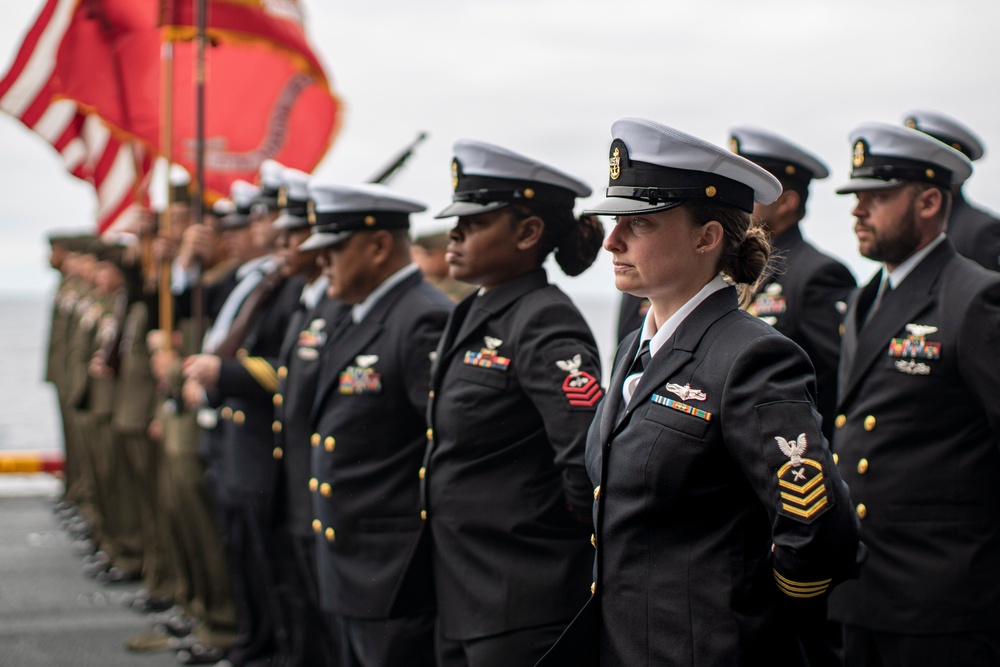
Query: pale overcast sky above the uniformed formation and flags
(547, 78)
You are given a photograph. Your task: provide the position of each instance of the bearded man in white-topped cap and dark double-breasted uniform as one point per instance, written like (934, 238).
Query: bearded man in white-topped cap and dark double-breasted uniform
(918, 423)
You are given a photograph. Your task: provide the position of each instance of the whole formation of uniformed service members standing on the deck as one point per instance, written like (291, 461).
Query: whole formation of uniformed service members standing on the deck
(348, 470)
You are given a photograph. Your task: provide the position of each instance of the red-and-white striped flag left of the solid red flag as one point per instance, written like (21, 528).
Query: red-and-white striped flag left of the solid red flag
(33, 92)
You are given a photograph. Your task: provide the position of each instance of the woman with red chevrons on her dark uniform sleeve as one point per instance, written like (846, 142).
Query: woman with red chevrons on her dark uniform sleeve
(506, 497)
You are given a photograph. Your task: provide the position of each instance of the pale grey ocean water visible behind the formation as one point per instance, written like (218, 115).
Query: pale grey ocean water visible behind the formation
(29, 411)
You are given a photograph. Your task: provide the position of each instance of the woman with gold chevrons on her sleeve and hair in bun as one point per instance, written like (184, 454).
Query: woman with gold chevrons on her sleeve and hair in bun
(721, 519)
